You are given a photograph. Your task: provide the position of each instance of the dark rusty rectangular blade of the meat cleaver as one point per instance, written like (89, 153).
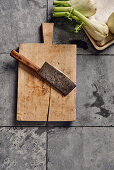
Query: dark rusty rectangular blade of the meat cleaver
(56, 78)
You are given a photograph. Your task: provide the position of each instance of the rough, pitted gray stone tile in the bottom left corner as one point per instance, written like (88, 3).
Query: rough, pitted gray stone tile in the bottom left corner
(22, 148)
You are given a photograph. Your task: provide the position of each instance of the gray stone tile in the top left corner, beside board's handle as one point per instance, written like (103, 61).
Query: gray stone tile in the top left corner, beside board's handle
(20, 22)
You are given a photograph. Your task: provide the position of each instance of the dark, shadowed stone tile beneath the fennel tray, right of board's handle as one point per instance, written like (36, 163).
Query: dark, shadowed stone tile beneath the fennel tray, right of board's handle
(63, 33)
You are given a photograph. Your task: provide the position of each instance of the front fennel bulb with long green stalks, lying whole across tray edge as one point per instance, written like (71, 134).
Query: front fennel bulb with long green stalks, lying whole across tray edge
(96, 30)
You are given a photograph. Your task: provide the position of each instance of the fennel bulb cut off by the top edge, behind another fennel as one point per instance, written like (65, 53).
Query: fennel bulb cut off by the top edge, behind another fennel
(86, 7)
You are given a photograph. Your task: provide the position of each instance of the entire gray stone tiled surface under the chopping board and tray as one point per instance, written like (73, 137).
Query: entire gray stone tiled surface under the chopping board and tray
(70, 147)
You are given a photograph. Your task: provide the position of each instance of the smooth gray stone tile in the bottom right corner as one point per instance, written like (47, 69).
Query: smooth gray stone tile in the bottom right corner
(81, 148)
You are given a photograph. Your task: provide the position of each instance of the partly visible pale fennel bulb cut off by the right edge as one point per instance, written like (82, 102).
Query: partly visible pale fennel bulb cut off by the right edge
(110, 23)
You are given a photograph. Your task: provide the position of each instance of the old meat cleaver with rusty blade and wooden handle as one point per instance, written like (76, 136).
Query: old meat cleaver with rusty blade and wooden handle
(49, 73)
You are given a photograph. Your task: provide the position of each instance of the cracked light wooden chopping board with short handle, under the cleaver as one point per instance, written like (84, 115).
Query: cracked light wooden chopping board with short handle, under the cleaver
(37, 100)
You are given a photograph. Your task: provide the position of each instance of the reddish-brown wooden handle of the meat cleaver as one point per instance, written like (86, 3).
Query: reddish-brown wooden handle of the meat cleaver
(24, 60)
